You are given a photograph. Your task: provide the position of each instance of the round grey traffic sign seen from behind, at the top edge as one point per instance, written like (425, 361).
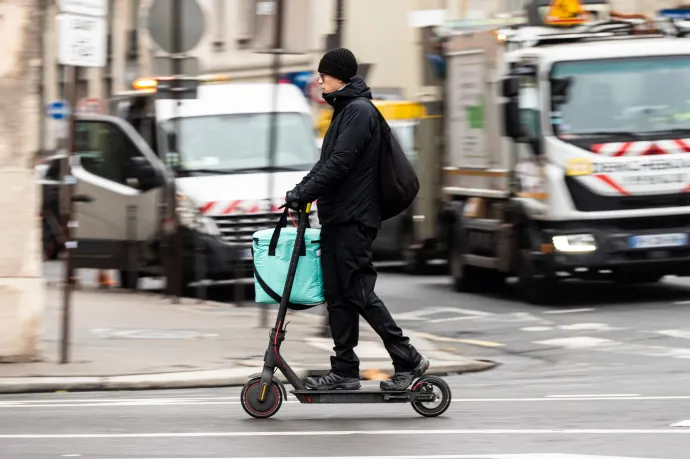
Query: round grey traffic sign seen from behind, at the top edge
(160, 23)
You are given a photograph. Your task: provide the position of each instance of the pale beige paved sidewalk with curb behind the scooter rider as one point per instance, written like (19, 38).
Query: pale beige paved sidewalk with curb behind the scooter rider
(123, 340)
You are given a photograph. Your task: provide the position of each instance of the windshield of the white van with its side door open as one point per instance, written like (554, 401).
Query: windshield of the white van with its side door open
(240, 142)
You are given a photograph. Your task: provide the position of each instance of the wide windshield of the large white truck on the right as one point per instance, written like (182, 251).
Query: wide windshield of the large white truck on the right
(647, 96)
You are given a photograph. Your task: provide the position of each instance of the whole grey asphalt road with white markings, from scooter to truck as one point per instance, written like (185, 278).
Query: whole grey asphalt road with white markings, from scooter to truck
(603, 374)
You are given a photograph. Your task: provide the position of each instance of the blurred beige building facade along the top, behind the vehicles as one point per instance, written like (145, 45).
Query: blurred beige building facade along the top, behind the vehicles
(380, 33)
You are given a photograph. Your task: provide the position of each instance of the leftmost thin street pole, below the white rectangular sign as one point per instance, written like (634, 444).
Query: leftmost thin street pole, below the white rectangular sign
(68, 183)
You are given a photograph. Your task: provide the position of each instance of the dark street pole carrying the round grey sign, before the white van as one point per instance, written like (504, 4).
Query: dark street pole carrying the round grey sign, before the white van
(175, 277)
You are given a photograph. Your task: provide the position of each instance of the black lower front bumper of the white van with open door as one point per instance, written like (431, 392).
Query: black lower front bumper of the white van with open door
(207, 257)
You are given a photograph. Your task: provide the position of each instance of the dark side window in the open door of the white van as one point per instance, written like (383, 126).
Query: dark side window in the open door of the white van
(104, 150)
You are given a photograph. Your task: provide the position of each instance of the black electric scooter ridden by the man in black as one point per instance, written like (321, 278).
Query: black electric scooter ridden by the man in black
(263, 395)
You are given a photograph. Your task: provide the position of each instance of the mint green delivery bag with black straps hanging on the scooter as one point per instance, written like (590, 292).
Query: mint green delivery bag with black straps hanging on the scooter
(272, 250)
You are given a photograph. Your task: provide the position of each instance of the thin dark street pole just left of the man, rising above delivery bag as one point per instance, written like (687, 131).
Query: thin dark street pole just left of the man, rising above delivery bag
(273, 134)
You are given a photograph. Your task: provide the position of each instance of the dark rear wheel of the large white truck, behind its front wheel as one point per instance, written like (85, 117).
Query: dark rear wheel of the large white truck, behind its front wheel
(467, 278)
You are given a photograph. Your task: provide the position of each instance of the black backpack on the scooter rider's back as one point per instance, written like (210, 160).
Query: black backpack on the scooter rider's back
(398, 182)
